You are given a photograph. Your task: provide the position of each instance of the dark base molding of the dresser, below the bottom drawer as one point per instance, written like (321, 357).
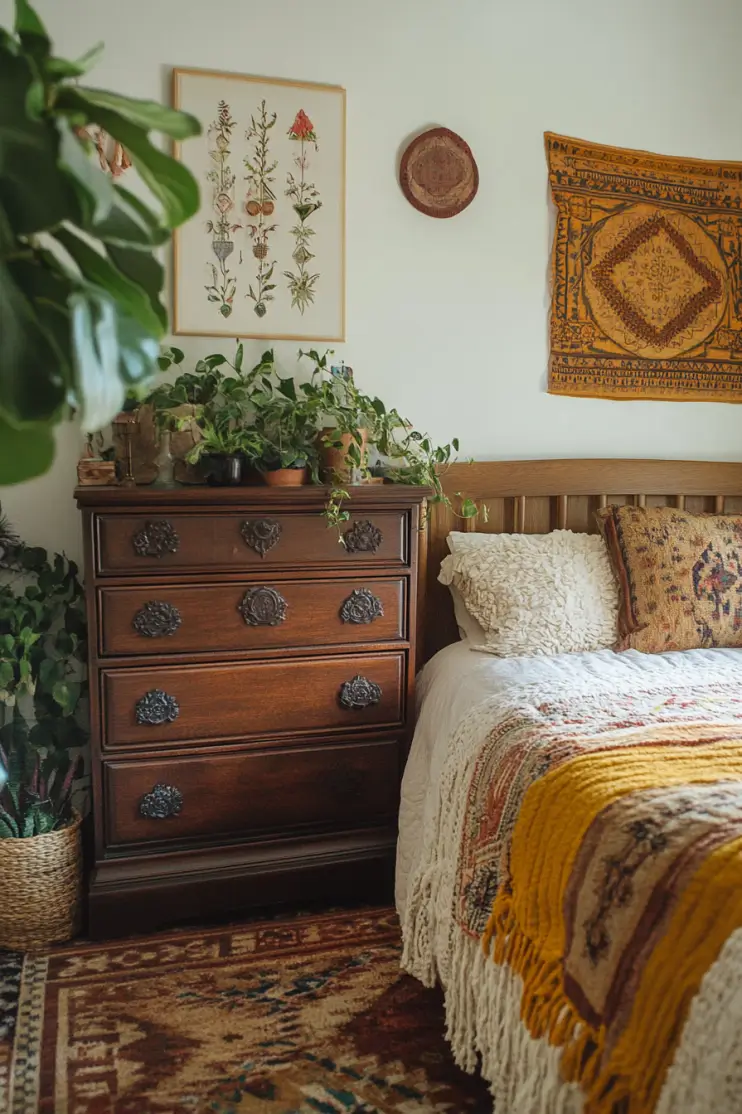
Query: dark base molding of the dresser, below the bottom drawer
(131, 896)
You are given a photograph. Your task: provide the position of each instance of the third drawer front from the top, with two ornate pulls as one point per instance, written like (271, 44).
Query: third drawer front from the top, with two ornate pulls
(210, 702)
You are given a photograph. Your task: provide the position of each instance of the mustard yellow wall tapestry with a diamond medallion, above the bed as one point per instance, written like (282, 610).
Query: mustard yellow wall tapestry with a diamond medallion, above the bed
(647, 275)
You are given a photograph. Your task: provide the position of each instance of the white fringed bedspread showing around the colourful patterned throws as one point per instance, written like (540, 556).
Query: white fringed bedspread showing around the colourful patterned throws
(462, 693)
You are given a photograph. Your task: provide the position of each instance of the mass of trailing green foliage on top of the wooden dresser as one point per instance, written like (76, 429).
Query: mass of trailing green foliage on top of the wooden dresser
(281, 423)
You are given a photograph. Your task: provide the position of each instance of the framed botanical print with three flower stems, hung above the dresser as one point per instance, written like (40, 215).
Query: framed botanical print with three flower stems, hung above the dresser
(266, 255)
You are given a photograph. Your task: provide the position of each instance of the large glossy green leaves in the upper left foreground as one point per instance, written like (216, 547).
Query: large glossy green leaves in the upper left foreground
(81, 310)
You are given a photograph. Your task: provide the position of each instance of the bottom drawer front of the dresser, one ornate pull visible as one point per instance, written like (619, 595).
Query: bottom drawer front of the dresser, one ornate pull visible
(237, 794)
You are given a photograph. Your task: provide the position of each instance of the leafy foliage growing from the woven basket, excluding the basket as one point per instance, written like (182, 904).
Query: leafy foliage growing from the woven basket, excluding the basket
(43, 654)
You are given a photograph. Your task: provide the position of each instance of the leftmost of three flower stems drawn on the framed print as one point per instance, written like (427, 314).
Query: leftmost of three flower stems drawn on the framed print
(223, 287)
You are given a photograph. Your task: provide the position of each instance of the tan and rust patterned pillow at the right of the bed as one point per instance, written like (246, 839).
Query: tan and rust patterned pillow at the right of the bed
(680, 578)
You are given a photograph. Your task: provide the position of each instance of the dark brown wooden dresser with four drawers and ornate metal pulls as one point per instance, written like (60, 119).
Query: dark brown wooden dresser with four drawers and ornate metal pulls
(251, 697)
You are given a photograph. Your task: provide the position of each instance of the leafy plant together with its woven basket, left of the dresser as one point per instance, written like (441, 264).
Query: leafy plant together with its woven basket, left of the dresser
(43, 652)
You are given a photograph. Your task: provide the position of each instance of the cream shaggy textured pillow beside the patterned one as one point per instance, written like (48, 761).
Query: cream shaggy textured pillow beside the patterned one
(536, 593)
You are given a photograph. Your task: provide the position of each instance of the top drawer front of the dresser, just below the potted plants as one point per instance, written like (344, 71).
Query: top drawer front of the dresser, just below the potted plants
(163, 543)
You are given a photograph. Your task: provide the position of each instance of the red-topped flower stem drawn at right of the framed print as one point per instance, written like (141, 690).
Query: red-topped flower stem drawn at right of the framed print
(306, 199)
